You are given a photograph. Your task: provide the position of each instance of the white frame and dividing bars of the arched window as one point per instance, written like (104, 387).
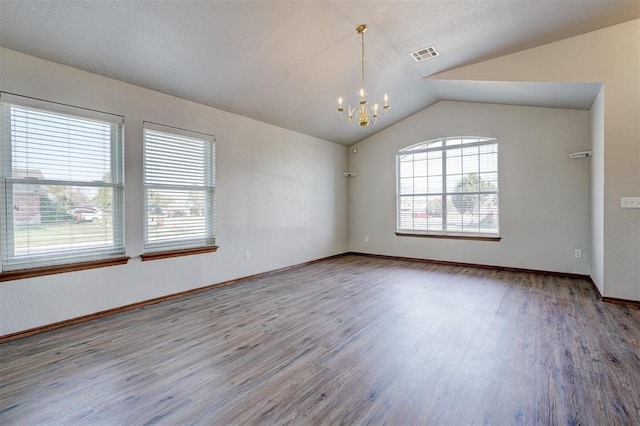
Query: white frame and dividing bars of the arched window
(445, 234)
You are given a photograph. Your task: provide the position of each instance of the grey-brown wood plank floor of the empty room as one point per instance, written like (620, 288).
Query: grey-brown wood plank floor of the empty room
(352, 340)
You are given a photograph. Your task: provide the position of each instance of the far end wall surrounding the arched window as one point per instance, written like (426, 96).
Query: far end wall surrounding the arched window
(544, 196)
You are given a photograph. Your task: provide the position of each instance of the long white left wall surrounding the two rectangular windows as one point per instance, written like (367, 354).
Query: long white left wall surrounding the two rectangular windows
(275, 190)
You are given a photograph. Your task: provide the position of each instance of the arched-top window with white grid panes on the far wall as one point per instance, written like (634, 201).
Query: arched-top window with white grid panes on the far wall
(449, 186)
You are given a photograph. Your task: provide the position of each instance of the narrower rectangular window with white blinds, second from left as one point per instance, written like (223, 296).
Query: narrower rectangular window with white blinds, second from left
(179, 182)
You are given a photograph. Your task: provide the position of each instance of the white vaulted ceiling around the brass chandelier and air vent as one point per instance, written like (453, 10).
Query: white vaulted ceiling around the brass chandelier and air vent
(286, 62)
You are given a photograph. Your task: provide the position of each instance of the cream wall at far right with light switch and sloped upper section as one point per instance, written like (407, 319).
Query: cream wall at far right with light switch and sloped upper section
(610, 56)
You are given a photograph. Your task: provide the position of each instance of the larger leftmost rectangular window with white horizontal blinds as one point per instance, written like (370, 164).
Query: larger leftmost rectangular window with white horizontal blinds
(62, 194)
